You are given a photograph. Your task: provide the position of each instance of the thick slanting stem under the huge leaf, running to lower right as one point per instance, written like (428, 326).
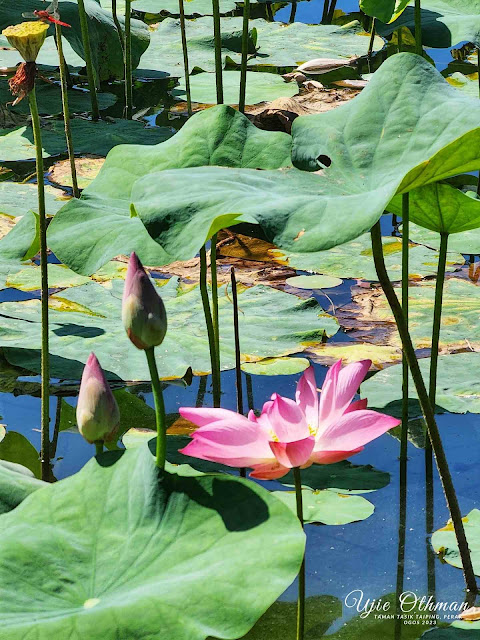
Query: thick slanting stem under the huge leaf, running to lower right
(427, 409)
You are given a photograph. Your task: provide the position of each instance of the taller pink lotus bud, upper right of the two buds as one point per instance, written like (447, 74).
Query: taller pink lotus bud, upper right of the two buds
(143, 312)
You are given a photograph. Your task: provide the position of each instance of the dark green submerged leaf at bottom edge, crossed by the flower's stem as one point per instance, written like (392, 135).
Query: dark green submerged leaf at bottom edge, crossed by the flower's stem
(320, 613)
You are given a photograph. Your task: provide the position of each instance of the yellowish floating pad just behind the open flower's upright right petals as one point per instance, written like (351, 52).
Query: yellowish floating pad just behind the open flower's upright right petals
(380, 355)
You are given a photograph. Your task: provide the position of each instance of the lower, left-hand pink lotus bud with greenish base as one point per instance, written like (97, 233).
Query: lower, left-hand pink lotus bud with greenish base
(97, 410)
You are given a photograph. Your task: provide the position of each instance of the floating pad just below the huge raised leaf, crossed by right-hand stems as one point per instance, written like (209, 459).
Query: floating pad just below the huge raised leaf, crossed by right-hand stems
(354, 260)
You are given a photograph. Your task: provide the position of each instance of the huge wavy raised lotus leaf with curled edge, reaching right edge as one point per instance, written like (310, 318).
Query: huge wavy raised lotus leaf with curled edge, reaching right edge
(408, 127)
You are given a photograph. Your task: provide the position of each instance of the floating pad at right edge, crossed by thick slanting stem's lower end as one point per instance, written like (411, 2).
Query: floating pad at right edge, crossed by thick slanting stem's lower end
(444, 541)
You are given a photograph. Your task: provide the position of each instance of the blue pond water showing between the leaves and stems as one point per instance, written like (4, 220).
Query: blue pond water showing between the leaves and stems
(356, 557)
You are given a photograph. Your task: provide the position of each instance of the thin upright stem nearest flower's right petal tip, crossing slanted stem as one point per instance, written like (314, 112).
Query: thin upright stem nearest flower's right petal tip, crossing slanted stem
(405, 282)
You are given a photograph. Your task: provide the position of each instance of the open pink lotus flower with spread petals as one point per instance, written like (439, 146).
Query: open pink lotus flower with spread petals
(292, 433)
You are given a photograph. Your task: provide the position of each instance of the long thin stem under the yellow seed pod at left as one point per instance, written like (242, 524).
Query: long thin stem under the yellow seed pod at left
(45, 360)
